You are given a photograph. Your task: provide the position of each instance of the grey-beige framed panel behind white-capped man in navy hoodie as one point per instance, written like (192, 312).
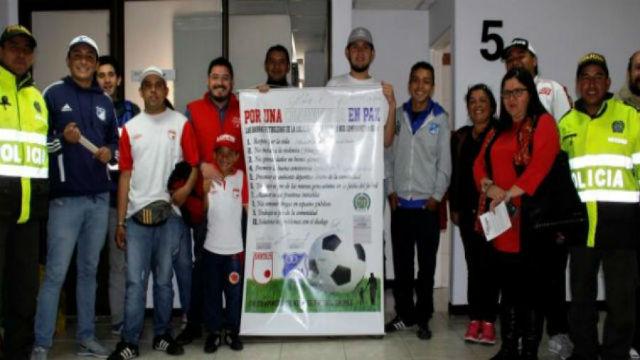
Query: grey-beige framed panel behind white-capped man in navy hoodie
(54, 30)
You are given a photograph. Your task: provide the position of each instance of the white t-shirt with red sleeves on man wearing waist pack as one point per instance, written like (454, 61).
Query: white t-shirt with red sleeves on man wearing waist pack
(151, 146)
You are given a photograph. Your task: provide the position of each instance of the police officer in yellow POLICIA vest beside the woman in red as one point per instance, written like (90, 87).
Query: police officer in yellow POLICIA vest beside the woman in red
(602, 138)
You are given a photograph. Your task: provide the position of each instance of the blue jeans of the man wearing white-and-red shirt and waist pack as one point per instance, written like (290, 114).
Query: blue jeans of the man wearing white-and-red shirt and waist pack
(150, 248)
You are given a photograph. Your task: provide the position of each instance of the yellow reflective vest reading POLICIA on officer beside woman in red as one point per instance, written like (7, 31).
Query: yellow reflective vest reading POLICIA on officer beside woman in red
(604, 156)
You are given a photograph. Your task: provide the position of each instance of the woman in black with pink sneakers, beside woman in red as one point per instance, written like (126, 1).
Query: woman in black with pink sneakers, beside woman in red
(482, 286)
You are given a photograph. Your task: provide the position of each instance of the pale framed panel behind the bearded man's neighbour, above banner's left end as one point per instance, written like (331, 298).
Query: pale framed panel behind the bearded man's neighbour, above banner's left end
(249, 38)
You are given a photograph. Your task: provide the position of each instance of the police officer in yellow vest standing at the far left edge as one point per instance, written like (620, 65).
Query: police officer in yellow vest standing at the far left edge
(23, 186)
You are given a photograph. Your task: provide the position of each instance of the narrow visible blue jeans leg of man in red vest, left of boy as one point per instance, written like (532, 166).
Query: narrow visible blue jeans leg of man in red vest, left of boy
(183, 266)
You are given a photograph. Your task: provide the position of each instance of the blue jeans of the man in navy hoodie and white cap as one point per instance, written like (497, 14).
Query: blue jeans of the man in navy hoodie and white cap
(81, 221)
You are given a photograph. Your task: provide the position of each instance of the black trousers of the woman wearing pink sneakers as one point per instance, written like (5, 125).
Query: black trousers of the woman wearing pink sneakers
(482, 283)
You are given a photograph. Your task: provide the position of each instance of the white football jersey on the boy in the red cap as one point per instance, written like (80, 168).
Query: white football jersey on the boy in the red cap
(224, 215)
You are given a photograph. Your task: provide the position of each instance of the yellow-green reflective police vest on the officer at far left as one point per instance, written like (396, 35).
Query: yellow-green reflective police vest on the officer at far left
(23, 136)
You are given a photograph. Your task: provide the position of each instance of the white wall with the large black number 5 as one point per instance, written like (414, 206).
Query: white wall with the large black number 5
(560, 31)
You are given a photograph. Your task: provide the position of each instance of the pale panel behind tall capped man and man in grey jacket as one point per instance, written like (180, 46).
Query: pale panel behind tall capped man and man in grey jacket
(397, 47)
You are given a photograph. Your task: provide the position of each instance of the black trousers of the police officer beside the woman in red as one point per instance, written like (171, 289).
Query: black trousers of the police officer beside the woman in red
(620, 270)
